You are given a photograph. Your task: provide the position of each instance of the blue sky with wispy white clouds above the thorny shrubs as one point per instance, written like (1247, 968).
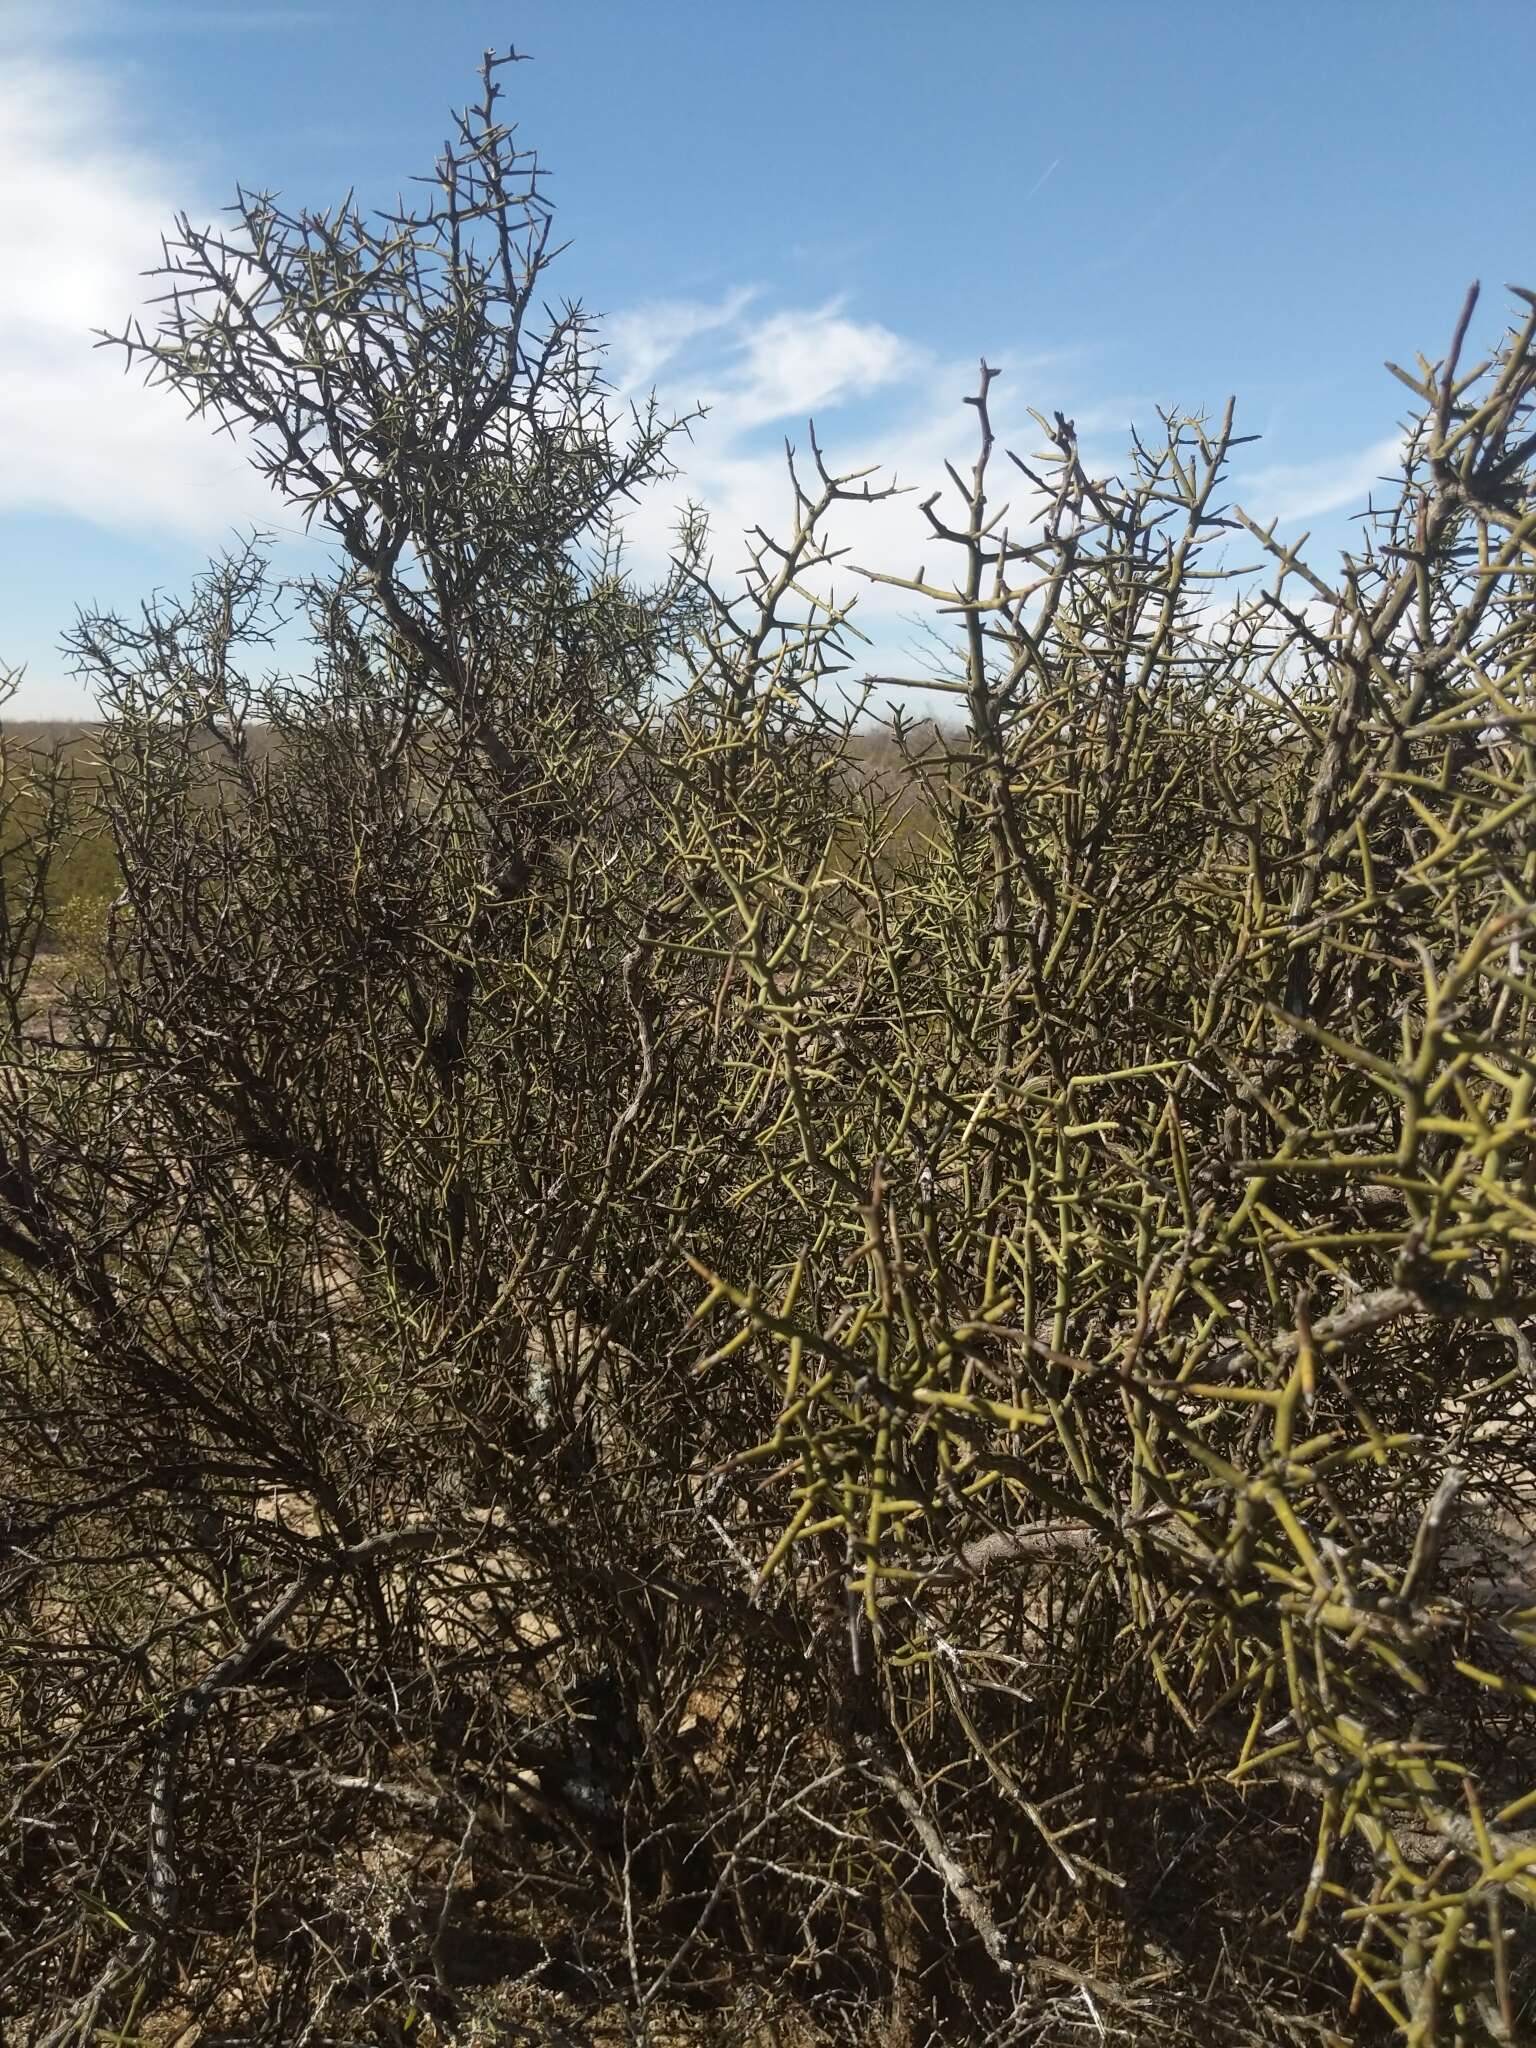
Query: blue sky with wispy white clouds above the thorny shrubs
(814, 208)
